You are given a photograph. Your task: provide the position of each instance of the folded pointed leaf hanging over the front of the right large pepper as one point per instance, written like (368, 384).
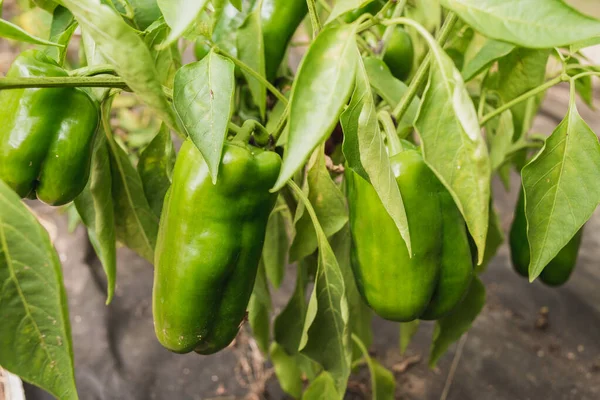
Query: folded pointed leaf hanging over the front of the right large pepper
(365, 149)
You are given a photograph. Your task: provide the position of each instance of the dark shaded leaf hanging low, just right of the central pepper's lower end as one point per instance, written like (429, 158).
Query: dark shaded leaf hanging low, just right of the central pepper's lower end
(289, 324)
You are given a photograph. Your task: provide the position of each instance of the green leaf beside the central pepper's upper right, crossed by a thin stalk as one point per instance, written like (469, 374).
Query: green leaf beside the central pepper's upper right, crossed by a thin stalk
(329, 204)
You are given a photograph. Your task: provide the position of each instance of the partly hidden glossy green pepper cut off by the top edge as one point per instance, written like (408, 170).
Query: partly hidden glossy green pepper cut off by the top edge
(280, 19)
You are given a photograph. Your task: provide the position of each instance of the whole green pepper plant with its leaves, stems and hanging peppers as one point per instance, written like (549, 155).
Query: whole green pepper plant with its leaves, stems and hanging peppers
(367, 169)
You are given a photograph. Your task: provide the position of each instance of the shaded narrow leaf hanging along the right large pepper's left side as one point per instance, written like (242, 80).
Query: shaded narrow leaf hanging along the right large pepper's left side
(360, 314)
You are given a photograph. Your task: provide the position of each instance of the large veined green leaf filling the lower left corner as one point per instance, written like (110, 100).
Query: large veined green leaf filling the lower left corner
(35, 335)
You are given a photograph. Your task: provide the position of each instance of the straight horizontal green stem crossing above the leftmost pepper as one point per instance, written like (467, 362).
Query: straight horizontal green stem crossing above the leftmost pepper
(53, 82)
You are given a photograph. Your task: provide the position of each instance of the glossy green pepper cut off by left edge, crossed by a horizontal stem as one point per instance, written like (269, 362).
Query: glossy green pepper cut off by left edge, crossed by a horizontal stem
(46, 135)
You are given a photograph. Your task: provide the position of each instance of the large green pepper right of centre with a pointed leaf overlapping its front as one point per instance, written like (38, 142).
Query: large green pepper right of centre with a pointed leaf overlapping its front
(432, 282)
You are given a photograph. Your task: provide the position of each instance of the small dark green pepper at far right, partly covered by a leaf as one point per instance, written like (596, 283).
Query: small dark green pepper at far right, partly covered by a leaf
(558, 271)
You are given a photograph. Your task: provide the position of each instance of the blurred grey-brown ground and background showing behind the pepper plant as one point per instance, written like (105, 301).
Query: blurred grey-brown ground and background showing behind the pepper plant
(530, 342)
